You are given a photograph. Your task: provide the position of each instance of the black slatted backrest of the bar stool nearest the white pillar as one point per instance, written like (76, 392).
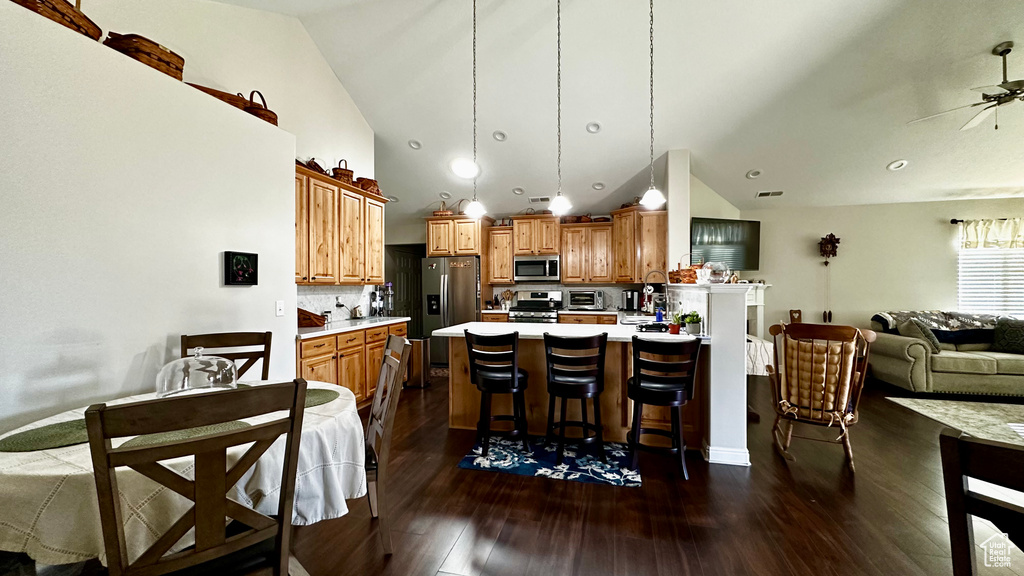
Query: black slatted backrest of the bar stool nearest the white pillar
(666, 362)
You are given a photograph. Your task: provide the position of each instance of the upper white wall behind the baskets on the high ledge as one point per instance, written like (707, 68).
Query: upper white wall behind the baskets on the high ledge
(240, 50)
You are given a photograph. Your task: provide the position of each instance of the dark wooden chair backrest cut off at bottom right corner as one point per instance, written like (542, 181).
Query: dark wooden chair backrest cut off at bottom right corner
(995, 463)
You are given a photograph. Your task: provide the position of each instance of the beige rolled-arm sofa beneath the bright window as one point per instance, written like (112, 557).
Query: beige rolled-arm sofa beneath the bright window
(957, 368)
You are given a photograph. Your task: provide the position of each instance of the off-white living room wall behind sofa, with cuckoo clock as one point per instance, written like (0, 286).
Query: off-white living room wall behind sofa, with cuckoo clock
(891, 257)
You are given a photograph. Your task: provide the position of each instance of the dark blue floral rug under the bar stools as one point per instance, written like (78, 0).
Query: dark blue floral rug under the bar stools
(507, 457)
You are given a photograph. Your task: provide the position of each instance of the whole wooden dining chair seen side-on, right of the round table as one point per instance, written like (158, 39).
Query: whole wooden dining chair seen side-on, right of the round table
(379, 429)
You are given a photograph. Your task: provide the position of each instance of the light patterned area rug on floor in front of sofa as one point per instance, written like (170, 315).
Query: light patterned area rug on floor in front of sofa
(980, 420)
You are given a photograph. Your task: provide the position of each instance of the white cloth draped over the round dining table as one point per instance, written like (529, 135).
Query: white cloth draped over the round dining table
(49, 499)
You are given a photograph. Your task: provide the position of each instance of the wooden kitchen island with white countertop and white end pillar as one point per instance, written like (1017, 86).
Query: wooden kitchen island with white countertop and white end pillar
(715, 422)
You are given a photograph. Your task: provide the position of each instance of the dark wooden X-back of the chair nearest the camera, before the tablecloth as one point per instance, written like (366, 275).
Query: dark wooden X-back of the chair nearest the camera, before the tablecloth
(214, 479)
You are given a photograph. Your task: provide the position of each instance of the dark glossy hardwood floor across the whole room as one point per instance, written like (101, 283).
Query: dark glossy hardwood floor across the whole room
(809, 518)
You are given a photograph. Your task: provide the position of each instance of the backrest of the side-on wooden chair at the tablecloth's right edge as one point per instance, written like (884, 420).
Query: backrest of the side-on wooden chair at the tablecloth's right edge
(386, 403)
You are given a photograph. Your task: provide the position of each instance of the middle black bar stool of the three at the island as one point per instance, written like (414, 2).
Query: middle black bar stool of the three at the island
(576, 371)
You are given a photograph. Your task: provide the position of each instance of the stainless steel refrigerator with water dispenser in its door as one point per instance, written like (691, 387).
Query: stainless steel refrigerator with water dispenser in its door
(451, 297)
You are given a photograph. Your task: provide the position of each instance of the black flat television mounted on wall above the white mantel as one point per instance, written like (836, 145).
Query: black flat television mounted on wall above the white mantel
(738, 243)
